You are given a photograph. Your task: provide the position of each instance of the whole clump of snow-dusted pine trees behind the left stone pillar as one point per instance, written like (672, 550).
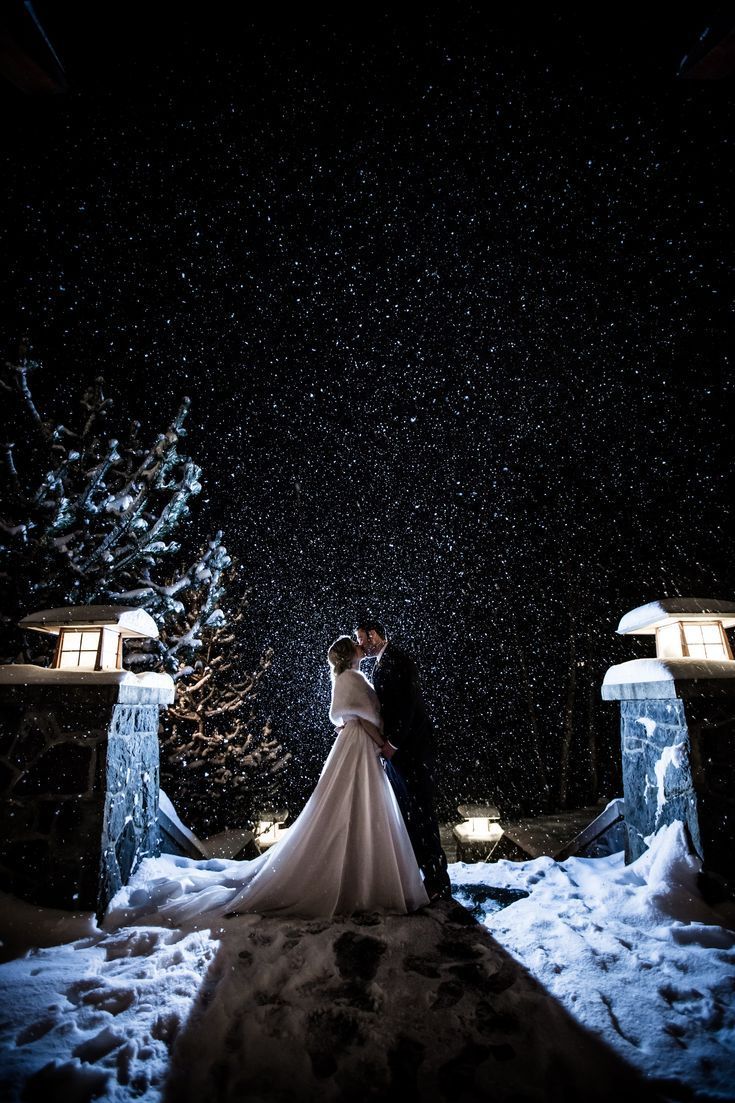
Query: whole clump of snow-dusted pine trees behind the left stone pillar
(90, 518)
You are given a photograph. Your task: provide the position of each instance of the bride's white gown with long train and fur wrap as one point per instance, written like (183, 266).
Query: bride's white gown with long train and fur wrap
(347, 852)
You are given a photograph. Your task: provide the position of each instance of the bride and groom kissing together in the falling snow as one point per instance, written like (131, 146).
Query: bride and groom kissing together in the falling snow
(368, 839)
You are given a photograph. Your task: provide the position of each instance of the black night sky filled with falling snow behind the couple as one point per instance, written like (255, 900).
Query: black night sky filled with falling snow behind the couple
(451, 297)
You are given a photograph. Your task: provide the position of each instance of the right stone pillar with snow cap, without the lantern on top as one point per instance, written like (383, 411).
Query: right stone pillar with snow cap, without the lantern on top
(678, 740)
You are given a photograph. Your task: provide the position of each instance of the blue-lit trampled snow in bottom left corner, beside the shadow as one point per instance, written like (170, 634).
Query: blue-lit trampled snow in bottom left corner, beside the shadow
(98, 1019)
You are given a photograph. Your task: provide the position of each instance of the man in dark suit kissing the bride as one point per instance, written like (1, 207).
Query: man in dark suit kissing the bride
(412, 748)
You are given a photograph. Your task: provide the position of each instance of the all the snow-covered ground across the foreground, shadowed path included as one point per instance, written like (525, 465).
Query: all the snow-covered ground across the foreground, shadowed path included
(250, 1008)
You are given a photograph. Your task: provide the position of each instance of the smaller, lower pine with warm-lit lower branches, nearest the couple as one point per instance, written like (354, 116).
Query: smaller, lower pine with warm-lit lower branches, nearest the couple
(216, 763)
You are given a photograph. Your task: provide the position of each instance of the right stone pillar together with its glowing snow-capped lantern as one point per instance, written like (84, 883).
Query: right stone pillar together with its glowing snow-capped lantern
(678, 730)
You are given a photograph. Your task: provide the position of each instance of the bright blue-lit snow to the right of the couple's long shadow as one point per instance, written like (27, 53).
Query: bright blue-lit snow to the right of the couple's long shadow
(633, 952)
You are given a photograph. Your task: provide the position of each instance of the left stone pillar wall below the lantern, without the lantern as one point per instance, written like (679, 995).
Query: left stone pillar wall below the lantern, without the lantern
(79, 785)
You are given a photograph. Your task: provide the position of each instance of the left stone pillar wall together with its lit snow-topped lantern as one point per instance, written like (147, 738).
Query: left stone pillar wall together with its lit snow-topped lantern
(80, 761)
